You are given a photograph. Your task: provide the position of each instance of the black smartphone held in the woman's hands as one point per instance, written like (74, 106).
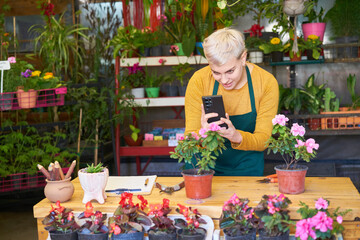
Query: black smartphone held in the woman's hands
(214, 104)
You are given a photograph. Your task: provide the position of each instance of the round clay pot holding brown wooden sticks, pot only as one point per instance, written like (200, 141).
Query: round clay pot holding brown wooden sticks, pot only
(59, 190)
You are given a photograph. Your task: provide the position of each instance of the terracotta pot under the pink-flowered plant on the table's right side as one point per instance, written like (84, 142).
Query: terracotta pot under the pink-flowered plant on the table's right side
(291, 181)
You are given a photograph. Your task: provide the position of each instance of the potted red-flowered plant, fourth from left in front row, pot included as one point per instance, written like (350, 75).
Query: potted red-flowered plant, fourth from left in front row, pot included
(163, 227)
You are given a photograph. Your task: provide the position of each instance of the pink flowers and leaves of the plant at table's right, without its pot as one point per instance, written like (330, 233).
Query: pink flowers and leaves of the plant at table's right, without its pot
(290, 142)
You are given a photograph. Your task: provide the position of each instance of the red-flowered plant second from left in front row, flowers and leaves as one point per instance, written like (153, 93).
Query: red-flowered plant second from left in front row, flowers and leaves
(95, 221)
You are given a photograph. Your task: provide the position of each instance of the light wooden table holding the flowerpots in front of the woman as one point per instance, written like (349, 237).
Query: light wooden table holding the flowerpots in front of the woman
(339, 191)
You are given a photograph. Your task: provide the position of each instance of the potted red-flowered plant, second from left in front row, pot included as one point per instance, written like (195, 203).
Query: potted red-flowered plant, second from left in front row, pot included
(94, 227)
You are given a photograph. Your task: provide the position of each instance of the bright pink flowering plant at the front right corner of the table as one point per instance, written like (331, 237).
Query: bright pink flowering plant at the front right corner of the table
(319, 223)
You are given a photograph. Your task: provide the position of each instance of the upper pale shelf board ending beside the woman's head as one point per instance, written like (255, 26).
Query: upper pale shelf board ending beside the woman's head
(169, 61)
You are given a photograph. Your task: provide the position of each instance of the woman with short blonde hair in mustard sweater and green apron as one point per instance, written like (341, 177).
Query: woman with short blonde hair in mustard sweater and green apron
(250, 96)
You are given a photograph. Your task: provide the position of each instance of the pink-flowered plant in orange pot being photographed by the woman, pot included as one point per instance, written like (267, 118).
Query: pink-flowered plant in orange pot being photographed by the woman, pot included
(203, 148)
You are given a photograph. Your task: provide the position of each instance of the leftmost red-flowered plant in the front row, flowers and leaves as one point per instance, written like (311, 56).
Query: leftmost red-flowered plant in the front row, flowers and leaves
(60, 219)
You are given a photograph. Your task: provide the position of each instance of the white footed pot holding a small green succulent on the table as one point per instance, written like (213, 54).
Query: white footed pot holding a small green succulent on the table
(93, 185)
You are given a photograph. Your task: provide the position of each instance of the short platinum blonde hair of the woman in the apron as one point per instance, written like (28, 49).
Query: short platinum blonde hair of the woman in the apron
(224, 44)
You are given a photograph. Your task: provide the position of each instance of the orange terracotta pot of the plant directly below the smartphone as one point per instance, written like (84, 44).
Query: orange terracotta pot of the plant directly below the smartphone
(197, 186)
